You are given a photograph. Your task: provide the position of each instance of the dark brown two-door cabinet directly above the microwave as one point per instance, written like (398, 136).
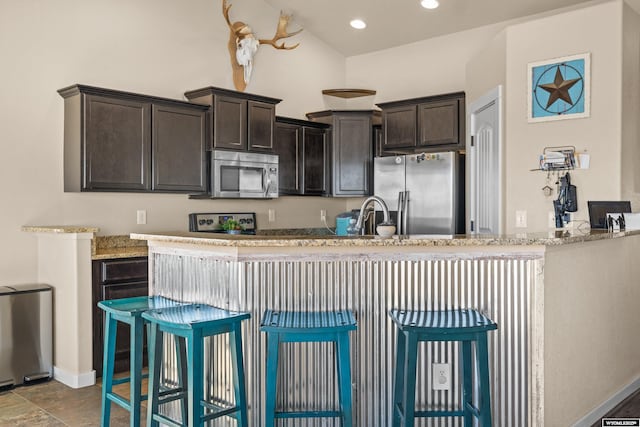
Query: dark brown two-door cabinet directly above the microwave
(239, 121)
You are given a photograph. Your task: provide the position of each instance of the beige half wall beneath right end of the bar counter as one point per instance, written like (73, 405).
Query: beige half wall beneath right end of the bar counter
(591, 350)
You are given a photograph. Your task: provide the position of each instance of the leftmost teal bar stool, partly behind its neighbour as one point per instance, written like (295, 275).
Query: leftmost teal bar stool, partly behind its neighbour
(129, 311)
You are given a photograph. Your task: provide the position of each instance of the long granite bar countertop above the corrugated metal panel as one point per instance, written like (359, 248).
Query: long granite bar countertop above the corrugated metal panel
(552, 238)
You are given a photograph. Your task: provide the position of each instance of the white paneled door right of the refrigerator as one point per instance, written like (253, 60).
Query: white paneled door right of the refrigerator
(486, 164)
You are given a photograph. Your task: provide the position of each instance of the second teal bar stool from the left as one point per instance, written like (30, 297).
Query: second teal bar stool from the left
(194, 323)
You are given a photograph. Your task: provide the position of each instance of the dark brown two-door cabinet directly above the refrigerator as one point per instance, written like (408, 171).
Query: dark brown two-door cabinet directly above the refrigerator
(427, 124)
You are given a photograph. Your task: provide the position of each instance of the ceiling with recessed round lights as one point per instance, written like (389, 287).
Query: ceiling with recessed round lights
(393, 23)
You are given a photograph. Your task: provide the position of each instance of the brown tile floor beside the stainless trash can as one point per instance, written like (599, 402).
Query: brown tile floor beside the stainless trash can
(53, 404)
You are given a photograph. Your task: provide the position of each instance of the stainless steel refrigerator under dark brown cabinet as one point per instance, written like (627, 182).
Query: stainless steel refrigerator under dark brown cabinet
(424, 192)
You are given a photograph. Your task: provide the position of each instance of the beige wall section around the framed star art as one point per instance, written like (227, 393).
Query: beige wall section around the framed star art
(600, 134)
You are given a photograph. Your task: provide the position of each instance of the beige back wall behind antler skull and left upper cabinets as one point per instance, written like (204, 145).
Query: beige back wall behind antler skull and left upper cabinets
(159, 47)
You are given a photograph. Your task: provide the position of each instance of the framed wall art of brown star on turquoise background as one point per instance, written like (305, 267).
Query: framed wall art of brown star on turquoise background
(559, 88)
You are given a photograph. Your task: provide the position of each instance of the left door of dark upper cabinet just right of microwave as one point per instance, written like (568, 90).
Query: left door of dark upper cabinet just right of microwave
(288, 147)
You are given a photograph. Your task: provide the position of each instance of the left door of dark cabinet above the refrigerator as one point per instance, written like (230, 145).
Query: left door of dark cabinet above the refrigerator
(399, 127)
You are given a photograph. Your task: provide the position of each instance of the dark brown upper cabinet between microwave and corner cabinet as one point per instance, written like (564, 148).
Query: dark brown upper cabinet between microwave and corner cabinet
(303, 149)
